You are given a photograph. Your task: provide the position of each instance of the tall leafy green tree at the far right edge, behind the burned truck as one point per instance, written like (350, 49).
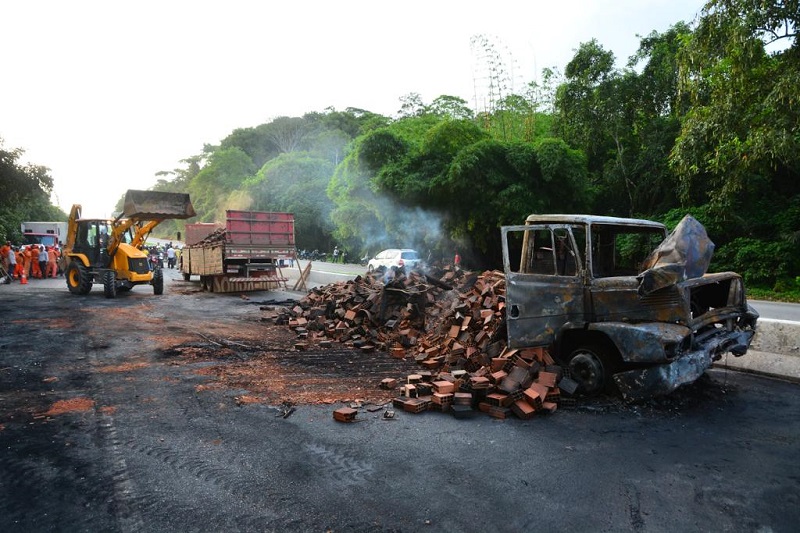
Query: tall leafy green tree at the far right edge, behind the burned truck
(738, 151)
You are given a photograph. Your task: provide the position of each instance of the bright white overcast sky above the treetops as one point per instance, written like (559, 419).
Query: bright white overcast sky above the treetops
(107, 94)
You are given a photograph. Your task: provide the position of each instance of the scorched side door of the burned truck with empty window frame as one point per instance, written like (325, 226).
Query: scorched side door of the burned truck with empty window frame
(544, 281)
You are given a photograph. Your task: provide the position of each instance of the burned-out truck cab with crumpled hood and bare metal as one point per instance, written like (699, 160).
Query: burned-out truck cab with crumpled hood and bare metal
(621, 304)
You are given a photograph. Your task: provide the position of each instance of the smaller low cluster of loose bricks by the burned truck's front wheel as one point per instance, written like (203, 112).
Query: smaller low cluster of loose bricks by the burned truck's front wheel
(519, 382)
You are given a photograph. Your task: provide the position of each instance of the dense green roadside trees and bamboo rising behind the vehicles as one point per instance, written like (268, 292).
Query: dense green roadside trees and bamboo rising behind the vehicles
(703, 119)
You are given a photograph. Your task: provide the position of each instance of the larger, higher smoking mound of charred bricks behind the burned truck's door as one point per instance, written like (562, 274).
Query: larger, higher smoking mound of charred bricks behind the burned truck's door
(415, 316)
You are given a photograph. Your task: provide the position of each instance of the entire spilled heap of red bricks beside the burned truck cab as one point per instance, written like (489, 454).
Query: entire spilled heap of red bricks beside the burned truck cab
(452, 323)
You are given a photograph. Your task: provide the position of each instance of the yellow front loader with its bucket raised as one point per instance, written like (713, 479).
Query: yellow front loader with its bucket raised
(110, 251)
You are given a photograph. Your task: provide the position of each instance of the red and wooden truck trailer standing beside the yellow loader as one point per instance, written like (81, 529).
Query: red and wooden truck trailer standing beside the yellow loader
(245, 254)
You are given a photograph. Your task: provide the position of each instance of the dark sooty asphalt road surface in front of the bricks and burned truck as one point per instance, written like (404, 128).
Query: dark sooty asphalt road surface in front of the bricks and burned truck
(150, 444)
